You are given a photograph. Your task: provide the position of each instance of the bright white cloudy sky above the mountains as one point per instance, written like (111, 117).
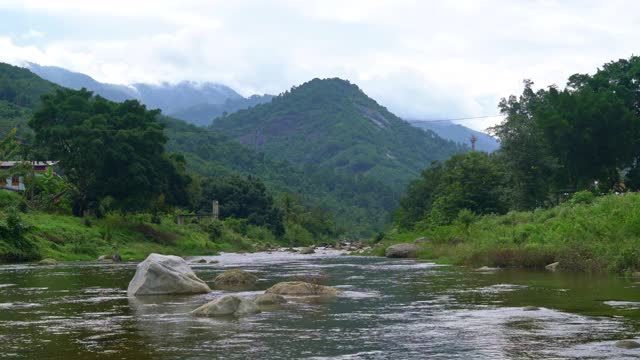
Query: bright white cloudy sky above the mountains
(421, 59)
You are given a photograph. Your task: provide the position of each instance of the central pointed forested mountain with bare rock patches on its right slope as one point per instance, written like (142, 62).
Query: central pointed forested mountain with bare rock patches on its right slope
(331, 122)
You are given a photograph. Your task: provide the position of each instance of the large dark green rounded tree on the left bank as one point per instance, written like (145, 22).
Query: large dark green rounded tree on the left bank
(107, 149)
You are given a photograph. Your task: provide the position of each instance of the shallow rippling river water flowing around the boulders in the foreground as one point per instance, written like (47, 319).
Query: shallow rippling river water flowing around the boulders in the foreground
(389, 309)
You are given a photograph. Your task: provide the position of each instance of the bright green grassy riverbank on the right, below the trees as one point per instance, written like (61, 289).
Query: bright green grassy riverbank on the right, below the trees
(586, 234)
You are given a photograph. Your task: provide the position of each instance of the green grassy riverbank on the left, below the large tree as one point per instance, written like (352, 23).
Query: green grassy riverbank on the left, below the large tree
(133, 237)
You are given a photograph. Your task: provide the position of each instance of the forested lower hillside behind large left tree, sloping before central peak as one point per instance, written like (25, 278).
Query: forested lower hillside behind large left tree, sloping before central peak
(358, 204)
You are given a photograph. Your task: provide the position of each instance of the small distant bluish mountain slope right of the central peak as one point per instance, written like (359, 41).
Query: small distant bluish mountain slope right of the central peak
(458, 134)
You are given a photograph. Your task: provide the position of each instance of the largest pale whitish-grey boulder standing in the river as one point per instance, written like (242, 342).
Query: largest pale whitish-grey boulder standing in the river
(163, 275)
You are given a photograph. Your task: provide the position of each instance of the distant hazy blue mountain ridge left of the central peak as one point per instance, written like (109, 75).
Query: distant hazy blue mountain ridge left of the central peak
(196, 103)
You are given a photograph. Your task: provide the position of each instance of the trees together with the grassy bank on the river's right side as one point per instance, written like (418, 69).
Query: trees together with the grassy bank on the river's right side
(510, 208)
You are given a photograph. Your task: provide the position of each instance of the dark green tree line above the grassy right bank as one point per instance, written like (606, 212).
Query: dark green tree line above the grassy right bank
(553, 141)
